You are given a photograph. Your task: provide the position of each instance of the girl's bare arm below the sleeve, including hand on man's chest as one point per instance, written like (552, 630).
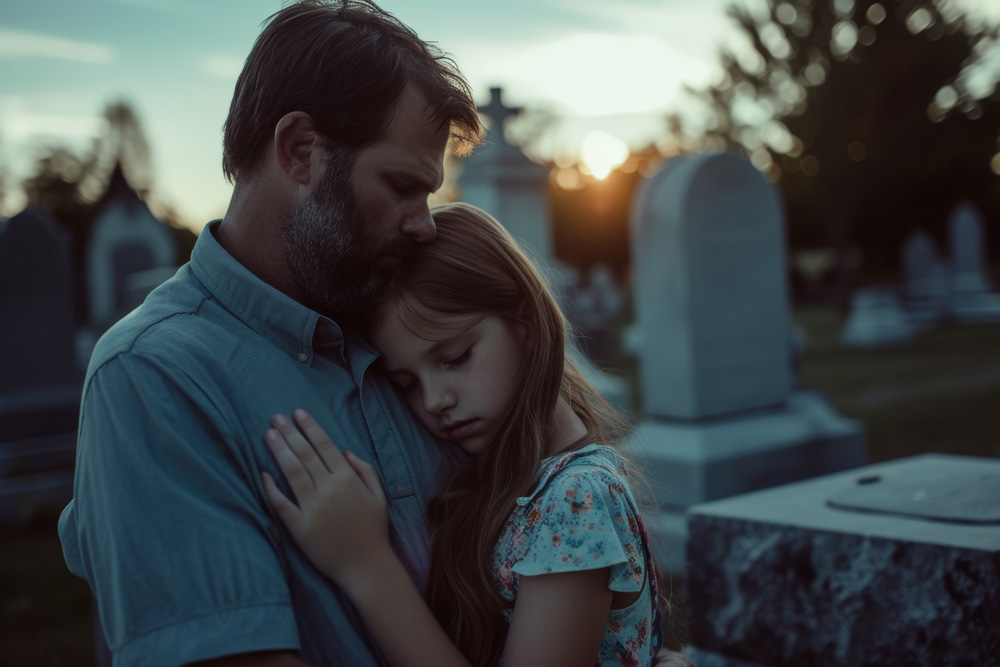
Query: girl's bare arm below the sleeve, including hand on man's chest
(341, 523)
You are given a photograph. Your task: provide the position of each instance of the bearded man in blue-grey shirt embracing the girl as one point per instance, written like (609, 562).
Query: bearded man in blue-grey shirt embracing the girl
(335, 138)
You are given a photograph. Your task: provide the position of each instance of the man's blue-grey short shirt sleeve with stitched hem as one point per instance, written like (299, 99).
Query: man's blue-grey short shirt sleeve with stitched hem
(166, 526)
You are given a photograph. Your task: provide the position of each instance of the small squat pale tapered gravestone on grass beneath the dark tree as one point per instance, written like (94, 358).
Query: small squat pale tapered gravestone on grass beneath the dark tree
(876, 320)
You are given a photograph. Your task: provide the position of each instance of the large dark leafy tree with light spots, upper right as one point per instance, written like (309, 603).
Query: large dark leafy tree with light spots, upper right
(874, 119)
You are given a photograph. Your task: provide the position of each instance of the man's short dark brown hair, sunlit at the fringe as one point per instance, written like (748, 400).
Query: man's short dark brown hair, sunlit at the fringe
(343, 63)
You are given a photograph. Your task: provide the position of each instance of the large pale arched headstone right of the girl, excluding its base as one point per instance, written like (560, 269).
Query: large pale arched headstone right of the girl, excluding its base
(710, 290)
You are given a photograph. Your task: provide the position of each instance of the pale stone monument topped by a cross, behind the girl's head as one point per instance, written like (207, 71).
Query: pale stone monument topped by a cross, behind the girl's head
(502, 181)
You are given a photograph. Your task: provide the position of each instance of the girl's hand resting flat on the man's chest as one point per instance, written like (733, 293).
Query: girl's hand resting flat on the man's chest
(341, 520)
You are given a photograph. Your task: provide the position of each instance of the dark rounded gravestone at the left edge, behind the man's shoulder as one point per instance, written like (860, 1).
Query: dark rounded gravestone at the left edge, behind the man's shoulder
(39, 381)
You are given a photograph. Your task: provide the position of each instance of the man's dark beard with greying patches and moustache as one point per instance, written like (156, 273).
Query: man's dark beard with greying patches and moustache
(331, 248)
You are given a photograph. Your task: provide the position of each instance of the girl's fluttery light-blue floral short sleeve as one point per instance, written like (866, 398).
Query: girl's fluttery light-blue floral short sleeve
(581, 519)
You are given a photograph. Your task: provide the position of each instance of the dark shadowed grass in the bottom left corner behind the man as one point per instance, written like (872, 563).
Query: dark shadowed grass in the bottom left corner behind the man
(44, 610)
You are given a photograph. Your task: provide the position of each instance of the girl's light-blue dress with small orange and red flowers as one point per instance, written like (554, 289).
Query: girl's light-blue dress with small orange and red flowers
(581, 516)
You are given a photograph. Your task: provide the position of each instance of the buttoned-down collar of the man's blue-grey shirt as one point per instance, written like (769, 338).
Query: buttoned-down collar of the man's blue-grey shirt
(299, 331)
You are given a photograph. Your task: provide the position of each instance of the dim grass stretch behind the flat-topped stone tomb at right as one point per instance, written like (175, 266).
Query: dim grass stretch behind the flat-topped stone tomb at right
(939, 394)
